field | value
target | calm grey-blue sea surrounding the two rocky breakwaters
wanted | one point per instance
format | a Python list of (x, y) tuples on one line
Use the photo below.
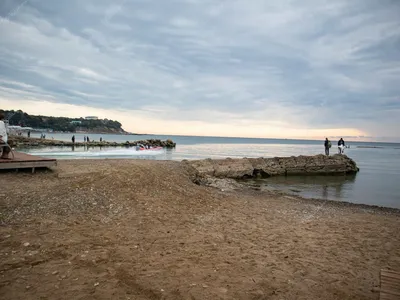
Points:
[(377, 183)]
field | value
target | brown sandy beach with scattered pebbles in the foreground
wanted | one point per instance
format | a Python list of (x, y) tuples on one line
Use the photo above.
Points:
[(136, 229)]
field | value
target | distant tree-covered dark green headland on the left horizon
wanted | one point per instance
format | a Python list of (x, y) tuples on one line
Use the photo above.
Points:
[(63, 124)]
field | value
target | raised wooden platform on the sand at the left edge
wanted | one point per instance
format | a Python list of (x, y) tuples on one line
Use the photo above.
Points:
[(26, 161)]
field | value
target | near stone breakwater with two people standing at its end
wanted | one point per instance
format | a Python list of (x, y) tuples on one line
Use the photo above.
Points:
[(203, 170)]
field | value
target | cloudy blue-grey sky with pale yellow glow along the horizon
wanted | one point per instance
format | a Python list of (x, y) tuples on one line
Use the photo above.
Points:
[(257, 68)]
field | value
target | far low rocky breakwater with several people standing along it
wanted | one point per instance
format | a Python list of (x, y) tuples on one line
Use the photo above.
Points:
[(24, 142)]
